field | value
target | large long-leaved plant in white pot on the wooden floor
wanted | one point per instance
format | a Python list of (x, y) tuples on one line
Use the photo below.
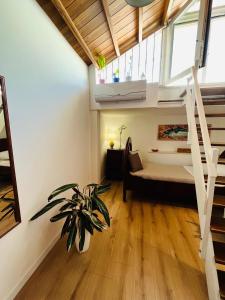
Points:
[(82, 213)]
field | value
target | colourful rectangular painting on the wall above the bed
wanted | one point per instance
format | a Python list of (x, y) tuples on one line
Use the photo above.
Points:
[(173, 132)]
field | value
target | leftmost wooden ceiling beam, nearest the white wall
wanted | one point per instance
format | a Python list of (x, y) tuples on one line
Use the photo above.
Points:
[(66, 17)]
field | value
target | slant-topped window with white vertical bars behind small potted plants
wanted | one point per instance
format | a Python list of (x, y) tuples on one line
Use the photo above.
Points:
[(140, 62)]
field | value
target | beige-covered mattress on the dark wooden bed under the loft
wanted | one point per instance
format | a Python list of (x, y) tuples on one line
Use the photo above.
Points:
[(163, 172)]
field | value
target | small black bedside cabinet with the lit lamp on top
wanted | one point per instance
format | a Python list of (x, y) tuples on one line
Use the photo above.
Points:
[(114, 164)]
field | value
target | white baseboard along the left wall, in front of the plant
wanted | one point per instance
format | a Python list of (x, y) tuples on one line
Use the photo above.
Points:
[(31, 270)]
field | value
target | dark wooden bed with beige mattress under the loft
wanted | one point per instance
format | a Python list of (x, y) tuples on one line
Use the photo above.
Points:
[(167, 183)]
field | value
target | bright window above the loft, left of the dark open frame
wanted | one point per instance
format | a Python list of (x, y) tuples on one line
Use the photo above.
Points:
[(183, 42)]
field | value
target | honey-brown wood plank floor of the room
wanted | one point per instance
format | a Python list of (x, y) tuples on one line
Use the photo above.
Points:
[(150, 252)]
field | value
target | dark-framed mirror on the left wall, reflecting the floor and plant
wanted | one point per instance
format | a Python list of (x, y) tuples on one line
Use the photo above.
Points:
[(9, 205)]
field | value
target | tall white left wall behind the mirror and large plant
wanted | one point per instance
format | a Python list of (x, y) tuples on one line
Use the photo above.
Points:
[(48, 99)]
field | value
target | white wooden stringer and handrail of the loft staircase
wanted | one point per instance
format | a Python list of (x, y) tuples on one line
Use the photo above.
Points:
[(205, 185)]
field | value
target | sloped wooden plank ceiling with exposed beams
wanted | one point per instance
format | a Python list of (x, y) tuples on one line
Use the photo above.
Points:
[(107, 27)]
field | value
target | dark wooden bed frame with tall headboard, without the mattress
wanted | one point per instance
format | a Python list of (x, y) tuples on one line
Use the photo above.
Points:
[(163, 191)]
